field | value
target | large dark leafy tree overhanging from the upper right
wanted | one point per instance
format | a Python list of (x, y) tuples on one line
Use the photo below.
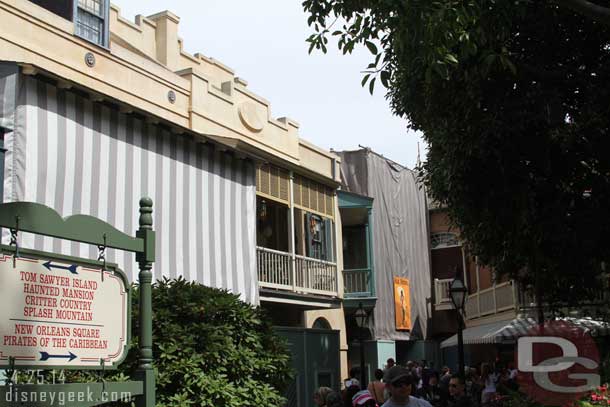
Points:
[(512, 99)]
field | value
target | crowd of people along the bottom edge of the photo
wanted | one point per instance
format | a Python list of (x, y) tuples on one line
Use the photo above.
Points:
[(418, 385)]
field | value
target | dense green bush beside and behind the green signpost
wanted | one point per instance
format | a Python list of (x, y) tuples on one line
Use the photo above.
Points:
[(210, 349)]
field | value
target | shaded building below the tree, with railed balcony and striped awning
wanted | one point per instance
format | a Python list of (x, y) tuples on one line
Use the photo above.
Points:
[(497, 311)]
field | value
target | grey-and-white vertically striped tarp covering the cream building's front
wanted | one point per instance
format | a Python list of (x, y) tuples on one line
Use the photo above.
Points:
[(79, 156)]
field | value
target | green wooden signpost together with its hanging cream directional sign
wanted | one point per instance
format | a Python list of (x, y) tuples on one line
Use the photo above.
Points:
[(56, 313)]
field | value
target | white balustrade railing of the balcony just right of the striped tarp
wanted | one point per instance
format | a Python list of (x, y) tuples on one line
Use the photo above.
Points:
[(308, 276)]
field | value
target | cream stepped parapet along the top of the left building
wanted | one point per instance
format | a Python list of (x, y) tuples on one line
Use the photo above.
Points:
[(147, 69)]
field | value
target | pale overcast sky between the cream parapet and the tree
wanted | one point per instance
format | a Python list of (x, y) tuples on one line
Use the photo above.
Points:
[(264, 43)]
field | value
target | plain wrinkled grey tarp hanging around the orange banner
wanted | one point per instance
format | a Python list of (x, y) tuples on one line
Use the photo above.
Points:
[(400, 236)]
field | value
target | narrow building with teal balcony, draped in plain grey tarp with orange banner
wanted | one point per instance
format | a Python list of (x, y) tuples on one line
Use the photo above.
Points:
[(398, 291)]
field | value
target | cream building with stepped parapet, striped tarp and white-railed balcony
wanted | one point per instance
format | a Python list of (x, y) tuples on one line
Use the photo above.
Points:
[(97, 111)]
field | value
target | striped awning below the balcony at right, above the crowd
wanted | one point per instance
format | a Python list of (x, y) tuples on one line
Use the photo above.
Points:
[(509, 331)]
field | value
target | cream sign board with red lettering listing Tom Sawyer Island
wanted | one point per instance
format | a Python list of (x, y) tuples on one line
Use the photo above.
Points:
[(58, 314)]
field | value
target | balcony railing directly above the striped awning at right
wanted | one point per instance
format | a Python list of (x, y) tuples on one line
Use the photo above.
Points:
[(493, 300)]
